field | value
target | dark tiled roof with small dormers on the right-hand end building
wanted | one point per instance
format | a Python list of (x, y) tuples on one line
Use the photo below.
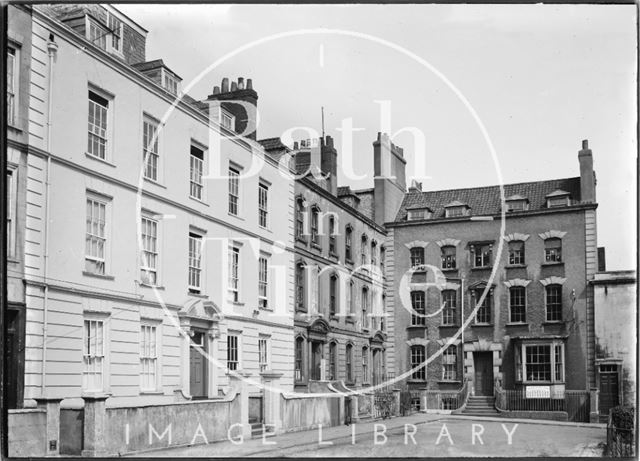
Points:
[(485, 201)]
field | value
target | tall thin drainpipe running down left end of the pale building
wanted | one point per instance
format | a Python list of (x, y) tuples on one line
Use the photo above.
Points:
[(52, 49)]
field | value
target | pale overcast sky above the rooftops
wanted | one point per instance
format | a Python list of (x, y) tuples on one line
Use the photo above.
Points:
[(541, 77)]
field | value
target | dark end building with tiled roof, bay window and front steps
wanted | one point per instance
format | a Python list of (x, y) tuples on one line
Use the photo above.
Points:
[(478, 305)]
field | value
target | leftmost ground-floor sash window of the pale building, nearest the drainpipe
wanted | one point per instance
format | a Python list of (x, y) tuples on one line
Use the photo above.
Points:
[(95, 353)]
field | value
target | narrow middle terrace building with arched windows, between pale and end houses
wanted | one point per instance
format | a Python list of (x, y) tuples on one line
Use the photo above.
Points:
[(340, 315)]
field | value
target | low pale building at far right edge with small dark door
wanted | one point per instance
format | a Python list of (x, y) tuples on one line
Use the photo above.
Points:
[(615, 301)]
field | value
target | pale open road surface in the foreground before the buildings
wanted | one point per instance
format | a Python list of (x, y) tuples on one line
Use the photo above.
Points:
[(417, 435)]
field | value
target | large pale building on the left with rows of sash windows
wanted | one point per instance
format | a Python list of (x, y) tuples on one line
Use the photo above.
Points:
[(157, 241)]
